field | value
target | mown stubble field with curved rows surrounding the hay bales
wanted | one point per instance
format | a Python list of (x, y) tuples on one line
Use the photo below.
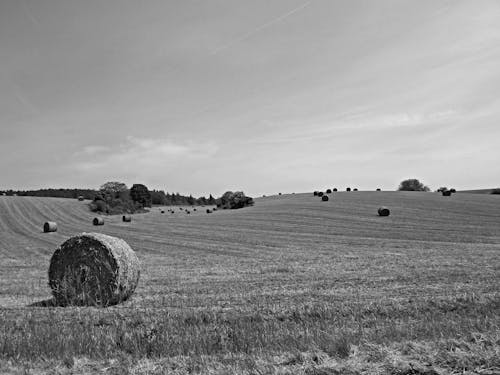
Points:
[(292, 285)]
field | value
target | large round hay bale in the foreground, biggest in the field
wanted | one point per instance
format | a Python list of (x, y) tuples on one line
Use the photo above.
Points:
[(93, 269)]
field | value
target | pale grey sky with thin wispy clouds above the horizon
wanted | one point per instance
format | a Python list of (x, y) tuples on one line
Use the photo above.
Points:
[(263, 96)]
